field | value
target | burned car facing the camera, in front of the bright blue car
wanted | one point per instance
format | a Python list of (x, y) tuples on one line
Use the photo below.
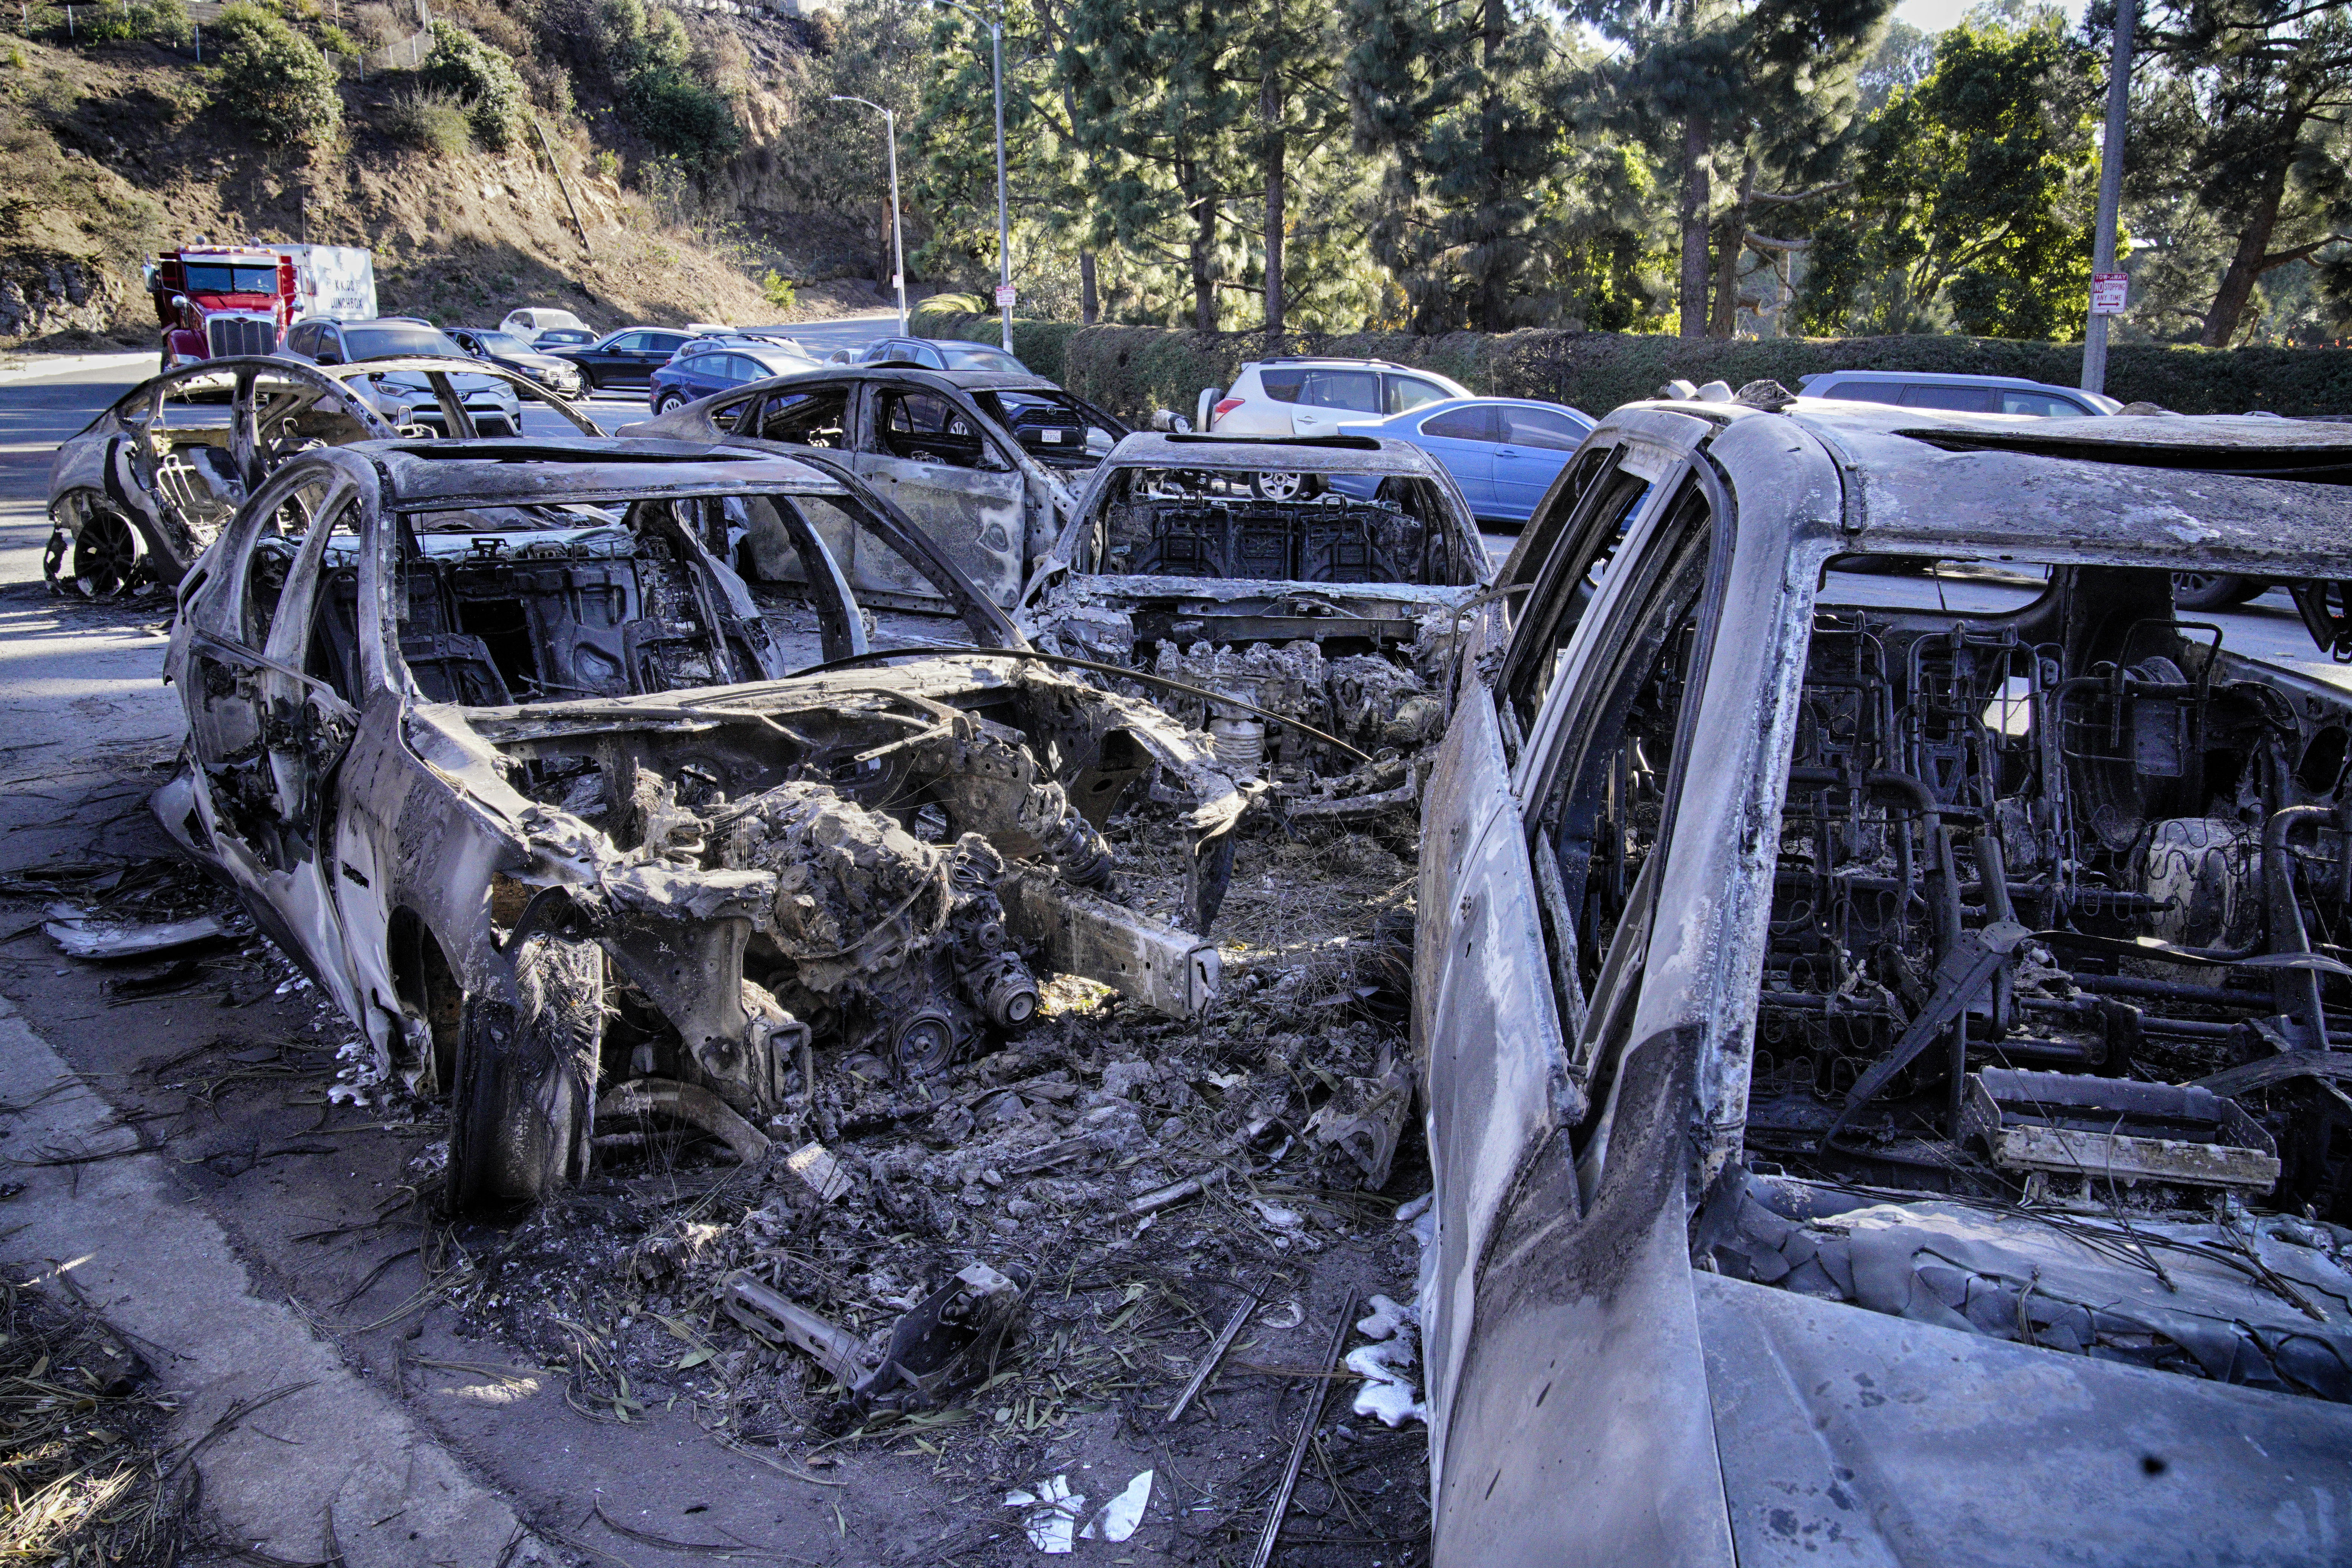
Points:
[(1321, 579)]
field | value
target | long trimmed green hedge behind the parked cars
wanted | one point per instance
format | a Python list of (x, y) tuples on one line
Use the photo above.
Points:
[(1135, 370)]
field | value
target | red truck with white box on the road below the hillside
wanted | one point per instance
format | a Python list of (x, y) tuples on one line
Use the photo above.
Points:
[(239, 300)]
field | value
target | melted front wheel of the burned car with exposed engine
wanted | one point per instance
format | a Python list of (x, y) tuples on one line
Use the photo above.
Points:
[(526, 1080)]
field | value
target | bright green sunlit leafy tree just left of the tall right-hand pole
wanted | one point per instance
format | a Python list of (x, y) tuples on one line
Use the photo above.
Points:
[(1972, 199)]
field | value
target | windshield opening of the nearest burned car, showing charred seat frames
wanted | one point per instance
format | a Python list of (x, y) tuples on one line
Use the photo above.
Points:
[(2137, 824)]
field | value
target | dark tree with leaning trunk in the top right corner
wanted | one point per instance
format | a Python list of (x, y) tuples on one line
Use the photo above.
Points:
[(2266, 98)]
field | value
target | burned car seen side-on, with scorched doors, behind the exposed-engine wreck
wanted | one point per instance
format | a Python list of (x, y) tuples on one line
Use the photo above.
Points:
[(984, 462)]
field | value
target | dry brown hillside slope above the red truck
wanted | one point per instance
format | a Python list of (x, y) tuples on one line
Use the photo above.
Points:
[(114, 152)]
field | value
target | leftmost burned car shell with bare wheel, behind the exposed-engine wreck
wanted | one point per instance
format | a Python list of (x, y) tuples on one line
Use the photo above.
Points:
[(147, 485)]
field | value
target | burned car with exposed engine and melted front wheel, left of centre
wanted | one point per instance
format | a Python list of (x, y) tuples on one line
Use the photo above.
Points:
[(507, 760)]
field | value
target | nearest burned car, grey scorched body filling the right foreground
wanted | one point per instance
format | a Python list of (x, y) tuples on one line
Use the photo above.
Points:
[(1883, 1038)]
